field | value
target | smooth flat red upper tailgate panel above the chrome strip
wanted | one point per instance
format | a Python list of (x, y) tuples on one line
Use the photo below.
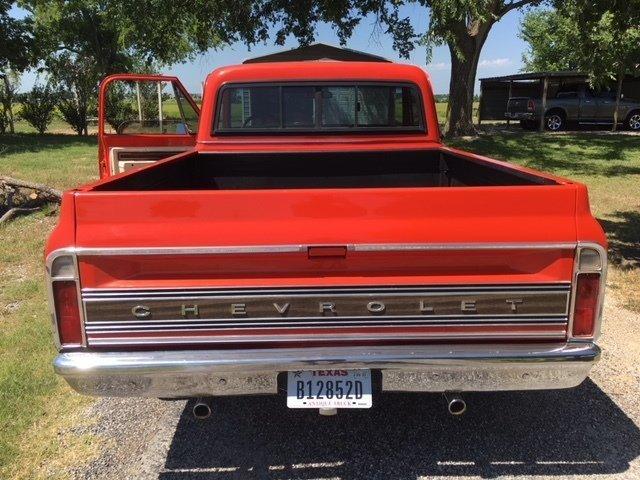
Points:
[(326, 217)]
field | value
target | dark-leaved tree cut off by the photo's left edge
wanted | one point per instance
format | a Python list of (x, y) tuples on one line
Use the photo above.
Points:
[(16, 54)]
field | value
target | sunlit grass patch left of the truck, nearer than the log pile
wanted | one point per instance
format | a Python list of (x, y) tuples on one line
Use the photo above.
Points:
[(35, 405)]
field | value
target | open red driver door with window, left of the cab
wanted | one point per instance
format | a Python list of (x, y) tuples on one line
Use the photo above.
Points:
[(142, 119)]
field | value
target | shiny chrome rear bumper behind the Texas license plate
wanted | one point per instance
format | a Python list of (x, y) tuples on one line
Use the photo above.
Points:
[(426, 368)]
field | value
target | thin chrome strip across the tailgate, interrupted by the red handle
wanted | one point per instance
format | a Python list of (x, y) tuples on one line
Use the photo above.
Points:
[(372, 247)]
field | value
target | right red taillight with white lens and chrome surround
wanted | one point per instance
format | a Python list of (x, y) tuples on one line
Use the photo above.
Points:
[(589, 280)]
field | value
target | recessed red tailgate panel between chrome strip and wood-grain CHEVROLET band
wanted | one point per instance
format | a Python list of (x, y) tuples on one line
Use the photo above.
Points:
[(357, 268)]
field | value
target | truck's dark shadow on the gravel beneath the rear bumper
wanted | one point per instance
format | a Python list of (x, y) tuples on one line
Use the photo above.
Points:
[(568, 432)]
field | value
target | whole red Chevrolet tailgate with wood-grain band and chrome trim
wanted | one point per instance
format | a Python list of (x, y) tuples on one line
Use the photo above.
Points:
[(331, 265)]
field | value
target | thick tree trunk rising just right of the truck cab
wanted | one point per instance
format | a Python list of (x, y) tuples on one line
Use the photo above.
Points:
[(462, 83)]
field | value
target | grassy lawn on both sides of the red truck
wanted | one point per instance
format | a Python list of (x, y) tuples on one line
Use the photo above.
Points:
[(35, 406)]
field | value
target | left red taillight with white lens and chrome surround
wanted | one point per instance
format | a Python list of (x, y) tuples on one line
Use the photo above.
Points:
[(64, 297)]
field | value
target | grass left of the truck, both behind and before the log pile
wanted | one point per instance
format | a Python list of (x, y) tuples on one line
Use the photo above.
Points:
[(35, 406)]
